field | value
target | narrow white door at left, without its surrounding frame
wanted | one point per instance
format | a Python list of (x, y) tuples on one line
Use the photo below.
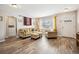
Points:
[(11, 26)]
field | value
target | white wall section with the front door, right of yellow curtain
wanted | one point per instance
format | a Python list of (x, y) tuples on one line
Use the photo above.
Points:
[(66, 24)]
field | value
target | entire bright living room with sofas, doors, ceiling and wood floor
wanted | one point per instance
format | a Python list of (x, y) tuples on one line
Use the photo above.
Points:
[(39, 30)]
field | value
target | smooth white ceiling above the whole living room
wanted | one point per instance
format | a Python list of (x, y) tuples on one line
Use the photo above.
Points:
[(36, 10)]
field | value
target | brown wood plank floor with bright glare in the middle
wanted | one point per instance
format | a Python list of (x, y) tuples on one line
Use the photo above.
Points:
[(41, 46)]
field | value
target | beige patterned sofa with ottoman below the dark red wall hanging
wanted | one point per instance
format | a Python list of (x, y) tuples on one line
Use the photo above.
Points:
[(28, 32)]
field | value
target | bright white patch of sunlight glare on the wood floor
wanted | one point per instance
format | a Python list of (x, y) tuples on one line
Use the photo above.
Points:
[(45, 47)]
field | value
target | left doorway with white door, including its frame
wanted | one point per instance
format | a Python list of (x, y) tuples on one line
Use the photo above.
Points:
[(11, 26)]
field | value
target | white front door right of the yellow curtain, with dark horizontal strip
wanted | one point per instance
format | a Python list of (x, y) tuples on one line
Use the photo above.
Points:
[(69, 25)]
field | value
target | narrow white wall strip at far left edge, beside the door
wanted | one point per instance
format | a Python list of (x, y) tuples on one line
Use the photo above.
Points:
[(2, 30)]
